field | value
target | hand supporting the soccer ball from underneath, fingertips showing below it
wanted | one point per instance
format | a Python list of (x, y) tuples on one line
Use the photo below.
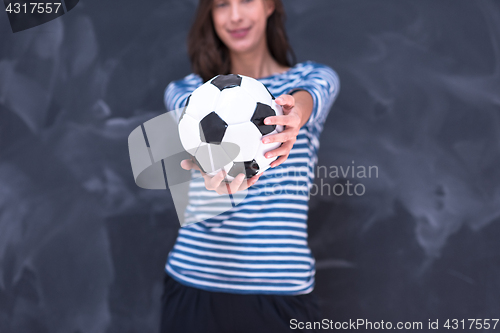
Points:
[(217, 183)]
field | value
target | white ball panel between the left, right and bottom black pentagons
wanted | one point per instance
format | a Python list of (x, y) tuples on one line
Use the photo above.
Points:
[(246, 136)]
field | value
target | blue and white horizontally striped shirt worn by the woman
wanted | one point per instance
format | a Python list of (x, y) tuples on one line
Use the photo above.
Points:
[(259, 246)]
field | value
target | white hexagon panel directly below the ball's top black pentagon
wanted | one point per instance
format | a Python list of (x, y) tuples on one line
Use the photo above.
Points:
[(235, 105)]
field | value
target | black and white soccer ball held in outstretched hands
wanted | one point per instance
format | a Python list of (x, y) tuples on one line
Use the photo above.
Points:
[(222, 126)]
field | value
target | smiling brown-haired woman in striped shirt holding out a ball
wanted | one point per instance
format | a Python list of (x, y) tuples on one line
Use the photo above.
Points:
[(250, 269)]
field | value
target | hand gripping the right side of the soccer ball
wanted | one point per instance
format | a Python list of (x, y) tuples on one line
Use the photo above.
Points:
[(291, 119)]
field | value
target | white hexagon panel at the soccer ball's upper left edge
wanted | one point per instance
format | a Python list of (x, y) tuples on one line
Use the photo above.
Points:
[(202, 101)]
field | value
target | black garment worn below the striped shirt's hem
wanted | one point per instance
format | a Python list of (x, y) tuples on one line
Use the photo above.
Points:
[(192, 310)]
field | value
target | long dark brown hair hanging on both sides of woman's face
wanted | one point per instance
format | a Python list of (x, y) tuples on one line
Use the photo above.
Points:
[(210, 56)]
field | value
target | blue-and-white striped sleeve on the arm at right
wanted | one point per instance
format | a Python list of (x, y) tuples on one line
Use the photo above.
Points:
[(323, 84)]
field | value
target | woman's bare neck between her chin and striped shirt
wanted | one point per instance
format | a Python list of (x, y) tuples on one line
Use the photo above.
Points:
[(257, 63)]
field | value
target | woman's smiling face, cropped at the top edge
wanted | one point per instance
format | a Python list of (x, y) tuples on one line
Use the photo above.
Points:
[(241, 24)]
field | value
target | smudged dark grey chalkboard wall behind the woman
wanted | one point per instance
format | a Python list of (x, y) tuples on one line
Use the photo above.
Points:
[(82, 248)]
